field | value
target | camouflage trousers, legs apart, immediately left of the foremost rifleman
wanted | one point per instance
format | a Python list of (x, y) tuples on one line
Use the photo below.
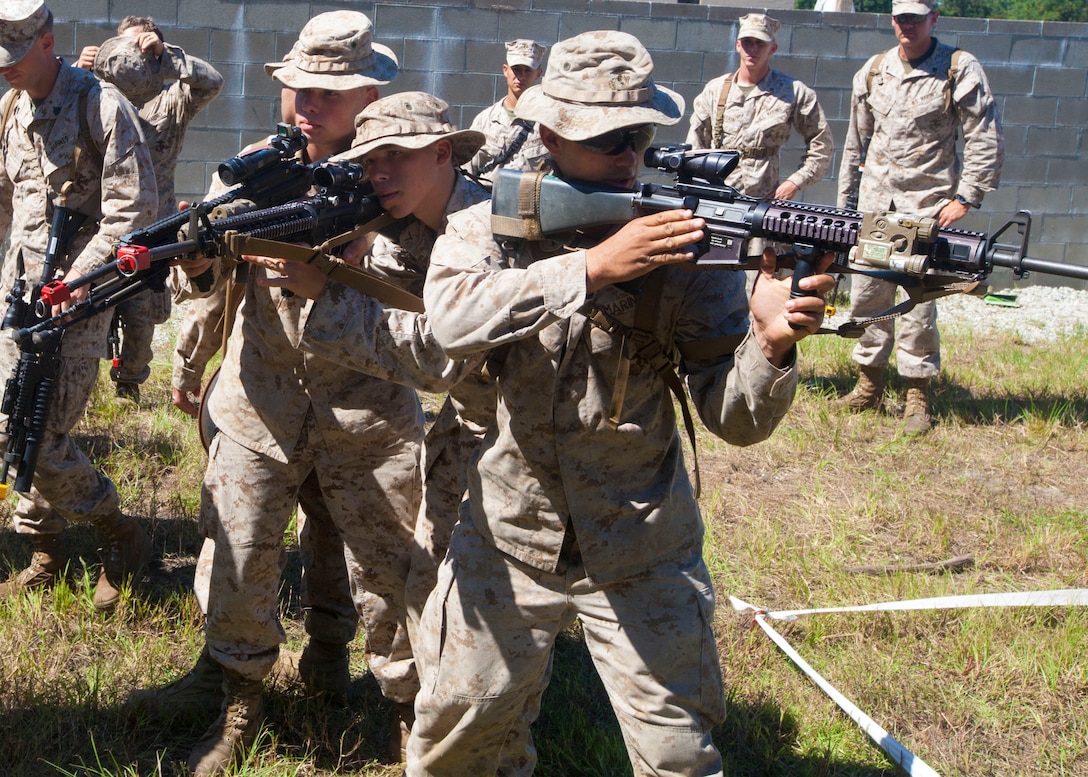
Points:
[(373, 498)]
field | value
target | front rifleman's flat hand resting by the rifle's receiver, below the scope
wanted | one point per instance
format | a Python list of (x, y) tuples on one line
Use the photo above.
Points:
[(642, 245)]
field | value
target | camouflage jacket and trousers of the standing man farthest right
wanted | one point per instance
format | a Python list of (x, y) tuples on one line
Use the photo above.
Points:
[(905, 131)]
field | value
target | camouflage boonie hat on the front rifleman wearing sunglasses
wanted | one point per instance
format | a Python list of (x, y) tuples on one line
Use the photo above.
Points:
[(596, 83)]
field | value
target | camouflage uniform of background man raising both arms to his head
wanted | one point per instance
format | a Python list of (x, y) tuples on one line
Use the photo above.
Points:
[(181, 88)]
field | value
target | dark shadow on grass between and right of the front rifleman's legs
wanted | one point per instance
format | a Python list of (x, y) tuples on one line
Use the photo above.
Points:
[(577, 733)]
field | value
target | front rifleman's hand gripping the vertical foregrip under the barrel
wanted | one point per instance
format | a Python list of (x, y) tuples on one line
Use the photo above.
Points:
[(778, 323)]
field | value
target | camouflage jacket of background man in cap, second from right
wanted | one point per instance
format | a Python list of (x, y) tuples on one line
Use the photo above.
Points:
[(758, 125)]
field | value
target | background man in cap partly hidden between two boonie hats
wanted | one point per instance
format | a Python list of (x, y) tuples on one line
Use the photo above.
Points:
[(511, 142)]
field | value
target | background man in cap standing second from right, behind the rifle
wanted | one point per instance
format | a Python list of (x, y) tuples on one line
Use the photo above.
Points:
[(753, 113)]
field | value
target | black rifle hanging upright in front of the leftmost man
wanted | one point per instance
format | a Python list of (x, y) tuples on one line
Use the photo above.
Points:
[(30, 391)]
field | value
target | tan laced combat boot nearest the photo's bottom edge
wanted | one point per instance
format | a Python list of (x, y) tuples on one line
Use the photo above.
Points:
[(229, 739)]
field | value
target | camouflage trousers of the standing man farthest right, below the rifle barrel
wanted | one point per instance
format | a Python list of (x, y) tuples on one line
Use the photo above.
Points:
[(919, 347)]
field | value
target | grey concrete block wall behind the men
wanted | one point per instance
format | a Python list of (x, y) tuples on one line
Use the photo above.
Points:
[(1040, 72)]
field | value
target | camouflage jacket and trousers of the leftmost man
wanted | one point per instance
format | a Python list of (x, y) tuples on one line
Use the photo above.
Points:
[(114, 184)]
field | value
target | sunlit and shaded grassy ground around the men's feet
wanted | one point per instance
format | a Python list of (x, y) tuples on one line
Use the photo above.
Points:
[(1003, 477)]
